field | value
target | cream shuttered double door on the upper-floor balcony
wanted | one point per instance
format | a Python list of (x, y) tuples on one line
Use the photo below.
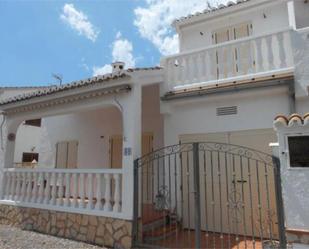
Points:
[(231, 60)]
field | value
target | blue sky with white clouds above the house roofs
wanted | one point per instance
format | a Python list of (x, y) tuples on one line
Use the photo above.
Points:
[(79, 39)]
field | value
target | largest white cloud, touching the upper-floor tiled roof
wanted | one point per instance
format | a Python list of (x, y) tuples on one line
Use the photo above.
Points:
[(154, 20)]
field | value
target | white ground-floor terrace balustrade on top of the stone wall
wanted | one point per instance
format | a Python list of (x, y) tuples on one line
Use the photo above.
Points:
[(87, 191)]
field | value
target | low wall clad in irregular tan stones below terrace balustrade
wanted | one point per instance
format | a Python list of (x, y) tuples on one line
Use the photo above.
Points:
[(101, 231)]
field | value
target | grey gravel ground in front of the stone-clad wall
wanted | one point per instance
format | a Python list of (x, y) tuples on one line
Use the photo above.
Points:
[(11, 237)]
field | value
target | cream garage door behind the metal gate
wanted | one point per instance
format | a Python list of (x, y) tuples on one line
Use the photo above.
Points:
[(225, 179)]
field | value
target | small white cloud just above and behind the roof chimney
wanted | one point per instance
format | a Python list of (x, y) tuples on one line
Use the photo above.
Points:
[(122, 50)]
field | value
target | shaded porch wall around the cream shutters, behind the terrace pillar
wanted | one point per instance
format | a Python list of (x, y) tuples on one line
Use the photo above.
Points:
[(88, 127)]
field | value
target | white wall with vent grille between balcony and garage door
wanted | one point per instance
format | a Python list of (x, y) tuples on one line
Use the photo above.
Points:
[(256, 110)]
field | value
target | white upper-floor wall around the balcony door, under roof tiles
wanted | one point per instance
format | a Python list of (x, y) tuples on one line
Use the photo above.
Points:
[(276, 19)]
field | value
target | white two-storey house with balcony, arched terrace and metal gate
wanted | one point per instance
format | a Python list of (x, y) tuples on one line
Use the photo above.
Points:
[(202, 121)]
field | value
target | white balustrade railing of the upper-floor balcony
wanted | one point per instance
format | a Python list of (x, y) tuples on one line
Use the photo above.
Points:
[(240, 60)]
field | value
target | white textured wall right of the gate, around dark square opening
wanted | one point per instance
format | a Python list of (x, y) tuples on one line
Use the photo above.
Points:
[(294, 183)]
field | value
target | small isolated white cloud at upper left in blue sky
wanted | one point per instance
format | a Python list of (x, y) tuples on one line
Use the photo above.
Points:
[(78, 21)]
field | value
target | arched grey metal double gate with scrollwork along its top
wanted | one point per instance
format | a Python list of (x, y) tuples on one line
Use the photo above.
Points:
[(208, 195)]
